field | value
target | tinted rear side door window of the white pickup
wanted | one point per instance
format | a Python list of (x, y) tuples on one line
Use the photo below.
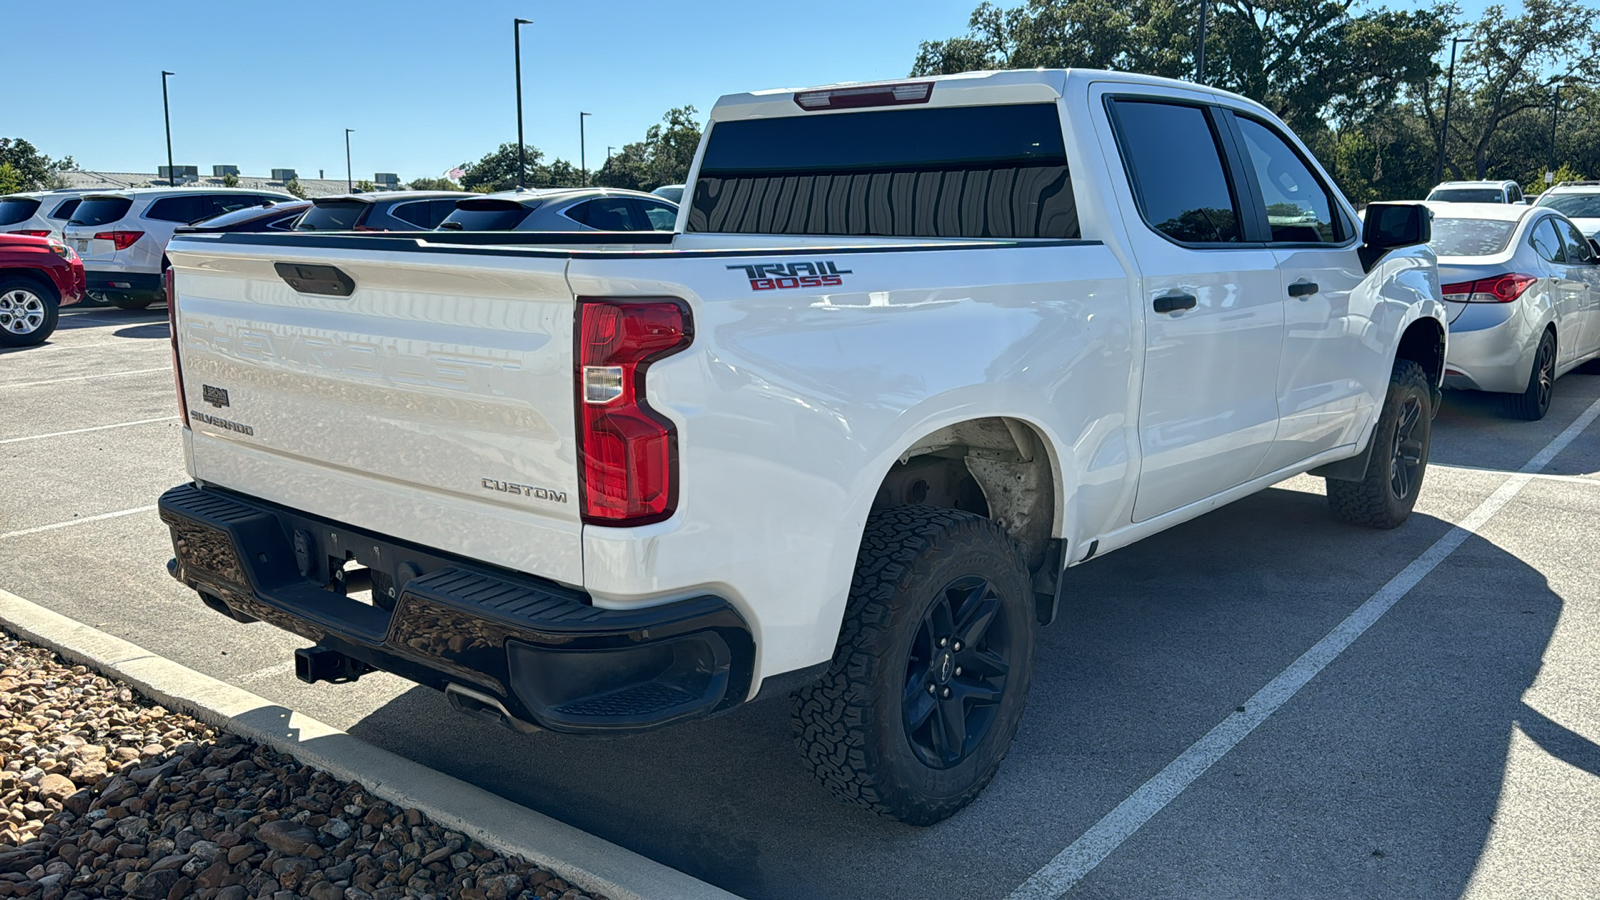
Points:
[(1188, 195)]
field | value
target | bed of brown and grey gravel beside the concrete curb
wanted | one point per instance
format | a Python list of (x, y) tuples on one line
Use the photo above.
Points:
[(110, 795)]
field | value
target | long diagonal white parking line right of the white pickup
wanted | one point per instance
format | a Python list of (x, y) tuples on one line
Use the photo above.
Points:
[(1105, 837)]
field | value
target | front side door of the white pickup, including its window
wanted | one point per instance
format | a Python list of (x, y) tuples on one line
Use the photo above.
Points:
[(1324, 398)]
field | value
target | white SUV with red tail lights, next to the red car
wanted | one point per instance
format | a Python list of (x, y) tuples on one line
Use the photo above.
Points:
[(122, 235)]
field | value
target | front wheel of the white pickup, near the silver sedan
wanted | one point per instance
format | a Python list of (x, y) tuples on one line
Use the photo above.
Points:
[(1399, 456)]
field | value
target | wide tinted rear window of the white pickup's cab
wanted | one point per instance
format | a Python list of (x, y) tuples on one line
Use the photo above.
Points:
[(951, 172)]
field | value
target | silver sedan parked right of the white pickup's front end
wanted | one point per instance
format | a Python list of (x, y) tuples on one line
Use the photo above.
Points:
[(1524, 292)]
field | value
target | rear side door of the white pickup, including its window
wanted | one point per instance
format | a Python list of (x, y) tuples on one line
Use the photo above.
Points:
[(1214, 307)]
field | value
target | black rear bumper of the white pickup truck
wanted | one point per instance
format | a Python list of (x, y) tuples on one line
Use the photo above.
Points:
[(502, 645)]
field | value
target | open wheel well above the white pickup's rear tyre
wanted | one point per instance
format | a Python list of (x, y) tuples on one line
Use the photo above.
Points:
[(990, 467)]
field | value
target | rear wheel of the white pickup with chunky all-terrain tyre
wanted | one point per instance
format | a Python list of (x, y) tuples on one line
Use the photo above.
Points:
[(930, 678)]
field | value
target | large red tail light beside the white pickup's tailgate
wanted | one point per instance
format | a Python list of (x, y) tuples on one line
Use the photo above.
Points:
[(628, 452)]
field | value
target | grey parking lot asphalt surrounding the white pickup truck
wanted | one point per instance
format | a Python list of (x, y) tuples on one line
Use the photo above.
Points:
[(1454, 749)]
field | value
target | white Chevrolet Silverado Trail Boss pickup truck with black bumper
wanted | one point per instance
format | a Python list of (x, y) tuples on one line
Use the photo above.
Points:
[(913, 352)]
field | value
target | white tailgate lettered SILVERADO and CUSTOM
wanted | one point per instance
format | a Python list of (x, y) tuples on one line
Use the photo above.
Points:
[(431, 404)]
